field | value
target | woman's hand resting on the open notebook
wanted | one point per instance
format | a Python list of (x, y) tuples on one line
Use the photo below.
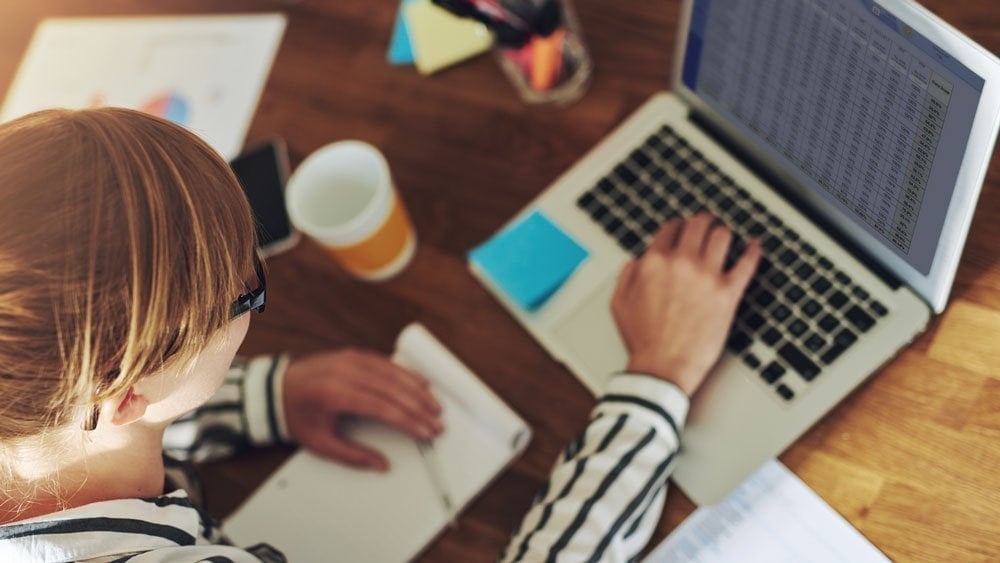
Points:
[(320, 390)]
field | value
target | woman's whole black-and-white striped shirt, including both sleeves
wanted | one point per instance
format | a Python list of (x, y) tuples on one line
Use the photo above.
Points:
[(601, 503)]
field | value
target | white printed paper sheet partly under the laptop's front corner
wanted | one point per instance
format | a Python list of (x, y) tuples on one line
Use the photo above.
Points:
[(773, 517)]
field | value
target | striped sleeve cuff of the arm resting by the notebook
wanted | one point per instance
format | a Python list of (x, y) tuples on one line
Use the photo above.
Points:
[(246, 410)]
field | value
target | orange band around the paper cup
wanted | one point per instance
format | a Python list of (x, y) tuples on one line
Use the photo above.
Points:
[(381, 248)]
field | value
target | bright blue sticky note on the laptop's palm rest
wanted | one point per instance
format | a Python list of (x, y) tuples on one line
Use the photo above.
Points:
[(530, 260)]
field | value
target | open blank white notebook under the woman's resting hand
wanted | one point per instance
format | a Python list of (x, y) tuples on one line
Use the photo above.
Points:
[(316, 510)]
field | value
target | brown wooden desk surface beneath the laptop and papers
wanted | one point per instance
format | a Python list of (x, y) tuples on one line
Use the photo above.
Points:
[(912, 458)]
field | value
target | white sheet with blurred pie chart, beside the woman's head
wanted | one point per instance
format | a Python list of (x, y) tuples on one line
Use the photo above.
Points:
[(205, 73)]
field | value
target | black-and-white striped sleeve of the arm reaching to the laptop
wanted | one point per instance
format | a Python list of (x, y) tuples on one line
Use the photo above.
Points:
[(606, 491)]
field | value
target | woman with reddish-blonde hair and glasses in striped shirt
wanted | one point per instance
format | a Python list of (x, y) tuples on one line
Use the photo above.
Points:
[(127, 275)]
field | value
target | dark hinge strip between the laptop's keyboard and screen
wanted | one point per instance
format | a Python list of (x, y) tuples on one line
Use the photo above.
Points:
[(700, 121)]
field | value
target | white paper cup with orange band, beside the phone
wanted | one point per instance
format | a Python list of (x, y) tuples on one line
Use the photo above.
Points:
[(342, 196)]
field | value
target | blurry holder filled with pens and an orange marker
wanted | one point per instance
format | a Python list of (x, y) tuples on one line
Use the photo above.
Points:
[(539, 45)]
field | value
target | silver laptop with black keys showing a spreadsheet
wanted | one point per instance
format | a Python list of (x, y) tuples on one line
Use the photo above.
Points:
[(852, 138)]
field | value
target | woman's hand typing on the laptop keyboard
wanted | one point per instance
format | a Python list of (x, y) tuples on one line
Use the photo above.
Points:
[(675, 304)]
